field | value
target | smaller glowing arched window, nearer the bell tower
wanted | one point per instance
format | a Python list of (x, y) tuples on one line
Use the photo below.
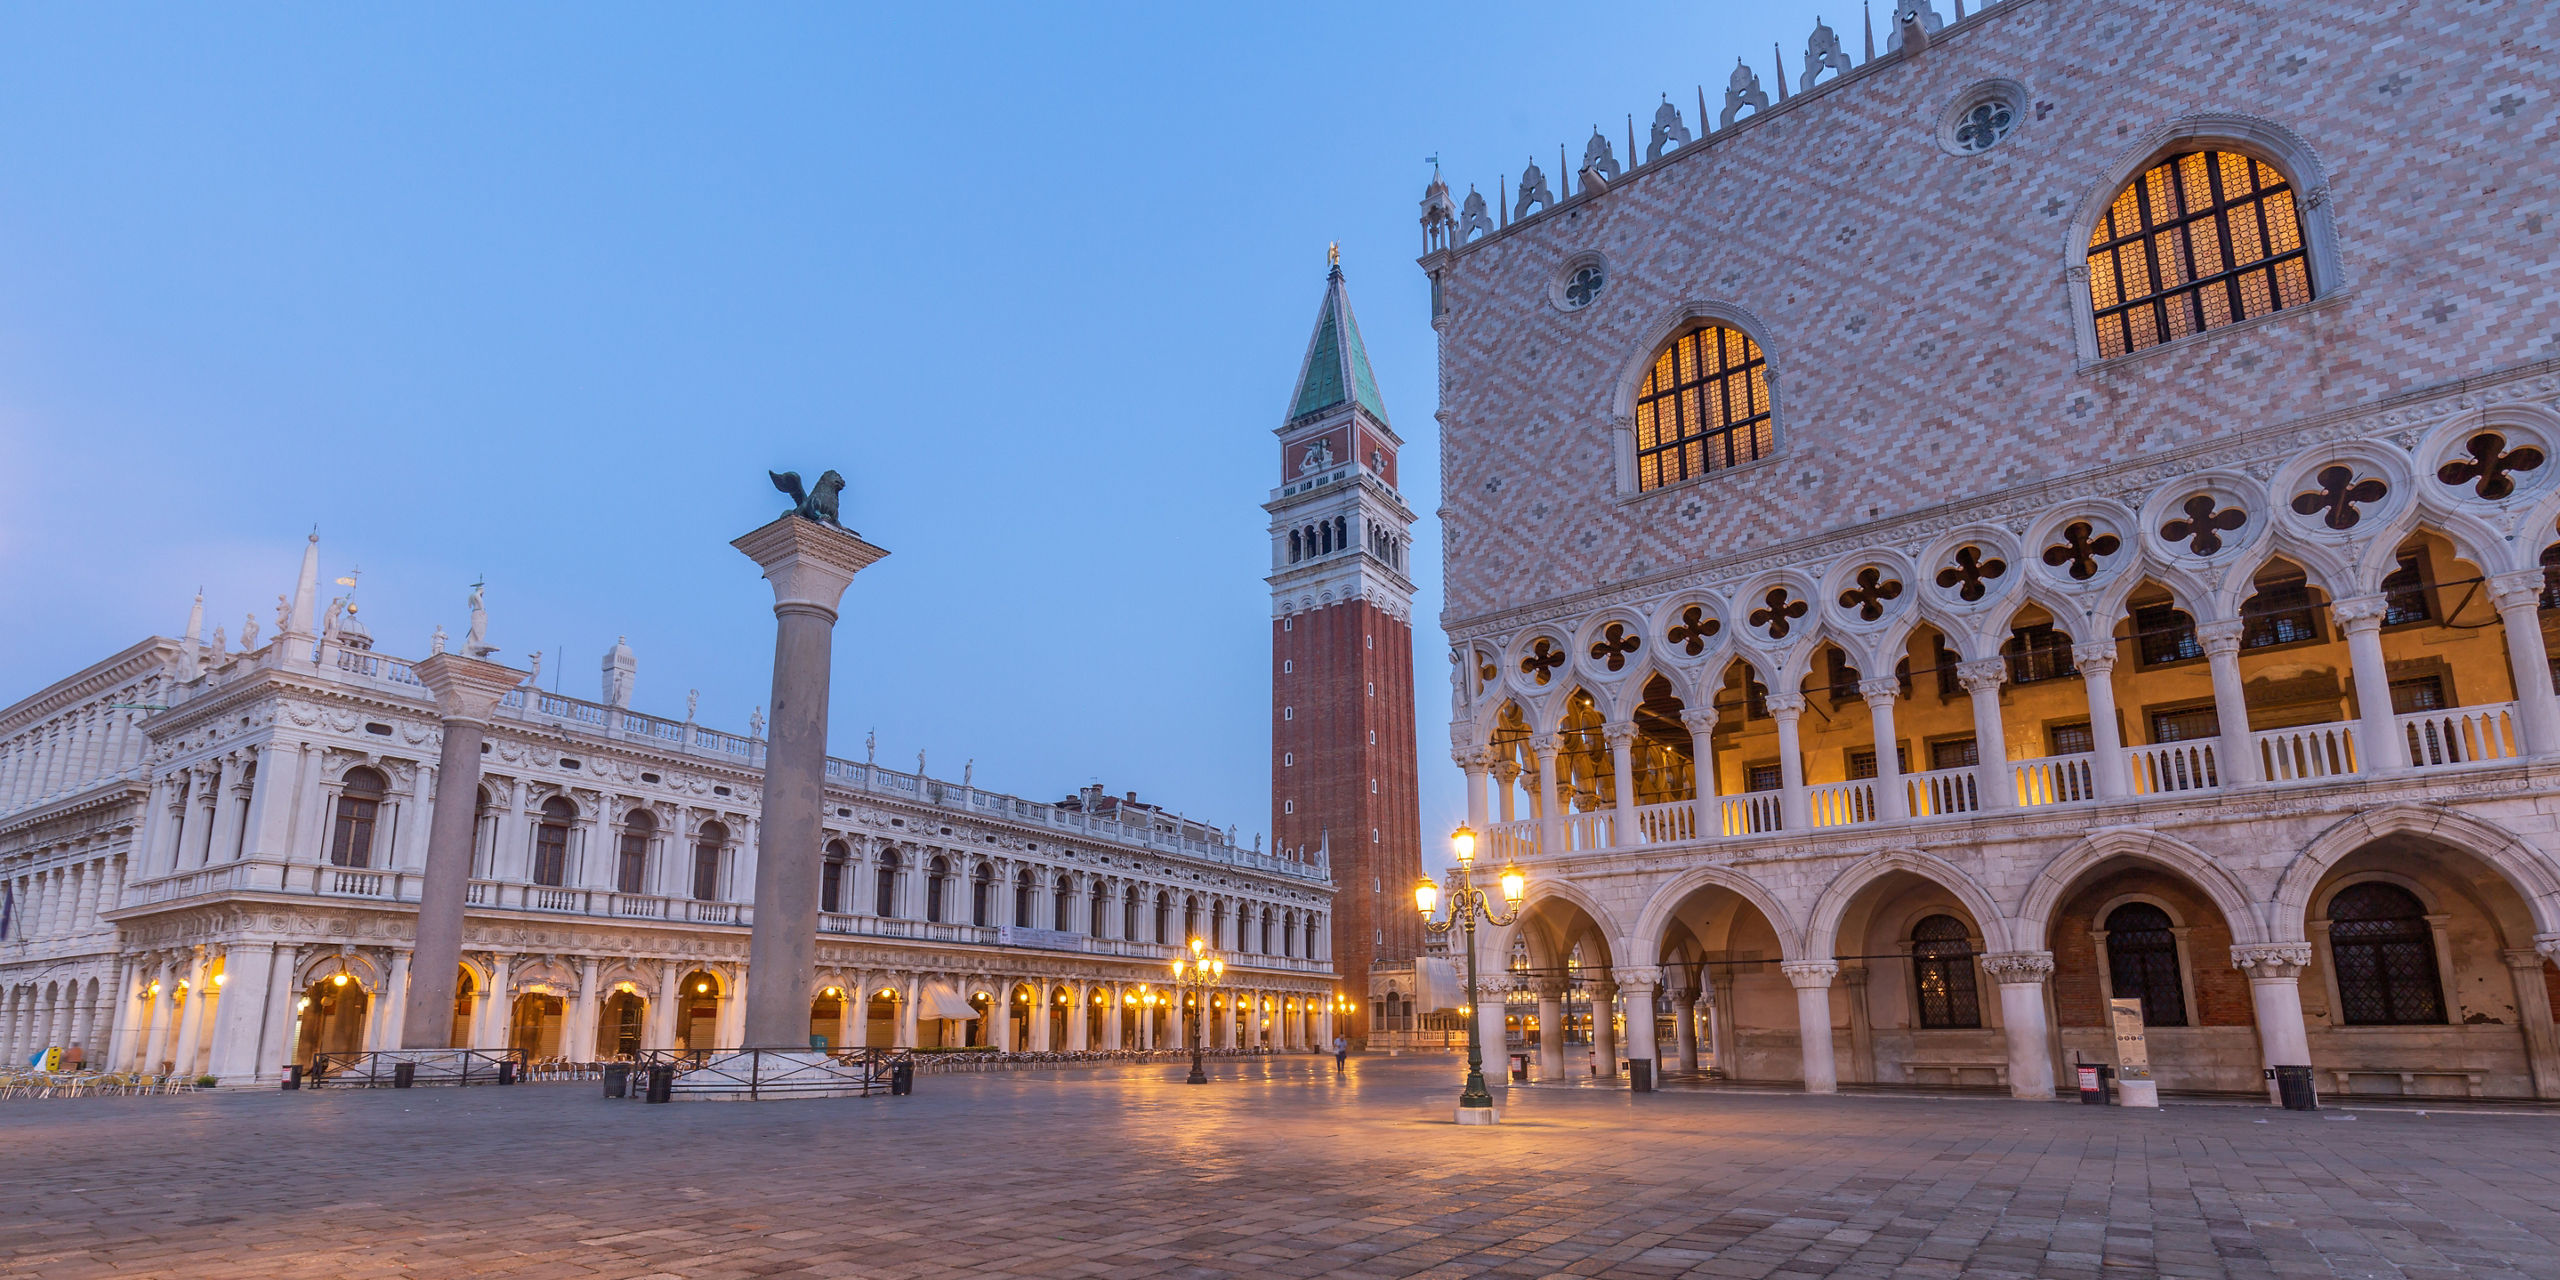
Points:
[(1704, 408)]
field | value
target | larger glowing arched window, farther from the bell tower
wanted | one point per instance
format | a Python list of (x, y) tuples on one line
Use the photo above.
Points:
[(2198, 242)]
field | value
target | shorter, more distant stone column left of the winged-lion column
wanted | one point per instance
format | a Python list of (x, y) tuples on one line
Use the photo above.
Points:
[(467, 695)]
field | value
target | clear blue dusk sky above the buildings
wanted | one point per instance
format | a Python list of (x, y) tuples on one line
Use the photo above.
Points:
[(541, 293)]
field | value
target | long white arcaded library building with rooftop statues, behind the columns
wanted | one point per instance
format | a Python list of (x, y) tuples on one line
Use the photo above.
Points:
[(211, 859)]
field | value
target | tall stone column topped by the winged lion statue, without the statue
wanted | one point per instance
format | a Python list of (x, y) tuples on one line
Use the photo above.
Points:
[(810, 567)]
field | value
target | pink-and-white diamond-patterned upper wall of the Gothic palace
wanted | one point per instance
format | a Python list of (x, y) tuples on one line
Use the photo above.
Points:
[(1919, 308)]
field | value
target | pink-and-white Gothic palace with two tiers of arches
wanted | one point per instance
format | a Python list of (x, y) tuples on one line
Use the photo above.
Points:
[(2052, 511)]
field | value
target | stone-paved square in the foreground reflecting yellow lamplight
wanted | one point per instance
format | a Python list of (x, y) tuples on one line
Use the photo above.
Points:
[(1276, 1169)]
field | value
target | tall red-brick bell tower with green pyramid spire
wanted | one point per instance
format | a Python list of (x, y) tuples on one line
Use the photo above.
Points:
[(1343, 652)]
